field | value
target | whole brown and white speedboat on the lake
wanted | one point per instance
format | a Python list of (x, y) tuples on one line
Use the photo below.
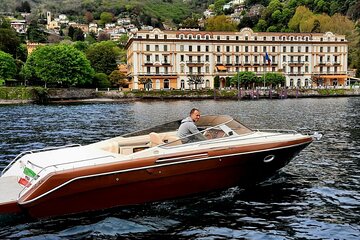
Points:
[(144, 166)]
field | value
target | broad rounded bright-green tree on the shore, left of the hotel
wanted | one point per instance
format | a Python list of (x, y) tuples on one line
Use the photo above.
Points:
[(58, 64)]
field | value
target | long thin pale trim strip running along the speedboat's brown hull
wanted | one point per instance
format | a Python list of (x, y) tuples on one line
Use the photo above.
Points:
[(147, 167)]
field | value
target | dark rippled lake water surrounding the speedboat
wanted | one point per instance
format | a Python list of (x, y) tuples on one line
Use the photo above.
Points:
[(317, 196)]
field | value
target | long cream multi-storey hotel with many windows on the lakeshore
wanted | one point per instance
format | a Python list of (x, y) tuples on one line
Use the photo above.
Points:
[(166, 59)]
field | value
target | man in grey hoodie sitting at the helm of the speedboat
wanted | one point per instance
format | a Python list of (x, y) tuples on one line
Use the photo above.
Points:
[(188, 127)]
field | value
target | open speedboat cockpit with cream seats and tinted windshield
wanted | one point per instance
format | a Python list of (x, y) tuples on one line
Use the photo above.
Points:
[(210, 127)]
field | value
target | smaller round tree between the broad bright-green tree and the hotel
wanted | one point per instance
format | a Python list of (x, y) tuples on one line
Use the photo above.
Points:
[(103, 56)]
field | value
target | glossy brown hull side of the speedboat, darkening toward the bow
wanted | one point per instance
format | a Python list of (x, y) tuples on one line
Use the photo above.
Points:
[(157, 179)]
